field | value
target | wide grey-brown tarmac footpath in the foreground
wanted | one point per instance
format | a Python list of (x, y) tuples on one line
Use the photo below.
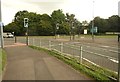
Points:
[(25, 63)]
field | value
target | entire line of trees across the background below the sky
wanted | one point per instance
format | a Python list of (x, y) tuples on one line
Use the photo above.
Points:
[(44, 24)]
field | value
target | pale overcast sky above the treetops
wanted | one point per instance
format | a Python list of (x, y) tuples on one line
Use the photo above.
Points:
[(83, 9)]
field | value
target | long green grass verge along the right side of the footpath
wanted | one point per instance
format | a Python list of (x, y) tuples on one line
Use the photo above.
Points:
[(96, 74)]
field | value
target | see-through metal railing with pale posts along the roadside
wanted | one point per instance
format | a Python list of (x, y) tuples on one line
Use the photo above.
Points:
[(97, 56)]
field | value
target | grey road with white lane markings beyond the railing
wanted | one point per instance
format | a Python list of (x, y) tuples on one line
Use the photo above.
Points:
[(105, 55)]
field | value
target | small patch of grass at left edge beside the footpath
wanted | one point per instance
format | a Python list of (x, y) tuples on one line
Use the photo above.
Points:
[(3, 58)]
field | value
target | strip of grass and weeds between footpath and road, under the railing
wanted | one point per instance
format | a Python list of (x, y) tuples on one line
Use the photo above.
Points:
[(98, 73)]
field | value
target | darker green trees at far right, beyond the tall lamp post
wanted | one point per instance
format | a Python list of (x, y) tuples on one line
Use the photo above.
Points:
[(107, 25)]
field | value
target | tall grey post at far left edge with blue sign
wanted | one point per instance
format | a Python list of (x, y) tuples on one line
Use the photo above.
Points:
[(1, 27)]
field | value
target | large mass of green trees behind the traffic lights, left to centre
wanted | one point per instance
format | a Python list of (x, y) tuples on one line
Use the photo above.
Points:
[(42, 24)]
